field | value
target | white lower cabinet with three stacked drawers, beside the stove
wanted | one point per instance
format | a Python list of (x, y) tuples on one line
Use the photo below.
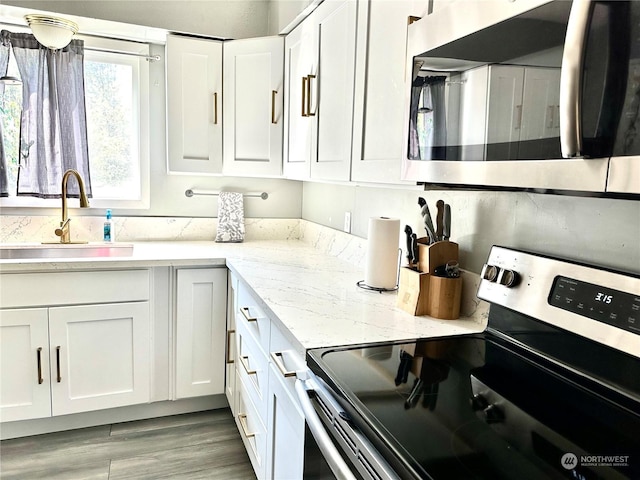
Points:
[(269, 419)]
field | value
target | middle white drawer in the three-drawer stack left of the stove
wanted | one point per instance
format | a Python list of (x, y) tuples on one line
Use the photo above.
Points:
[(253, 367)]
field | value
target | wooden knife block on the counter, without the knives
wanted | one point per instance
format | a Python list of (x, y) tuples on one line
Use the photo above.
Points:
[(422, 292)]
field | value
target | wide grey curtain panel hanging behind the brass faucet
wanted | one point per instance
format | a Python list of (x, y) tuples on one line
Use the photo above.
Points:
[(53, 129)]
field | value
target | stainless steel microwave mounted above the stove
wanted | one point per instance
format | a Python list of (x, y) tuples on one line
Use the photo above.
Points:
[(532, 94)]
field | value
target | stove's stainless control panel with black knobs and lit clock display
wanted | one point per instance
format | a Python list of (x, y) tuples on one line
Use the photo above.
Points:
[(596, 303)]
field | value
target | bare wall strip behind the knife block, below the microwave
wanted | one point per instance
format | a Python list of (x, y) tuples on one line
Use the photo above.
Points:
[(591, 230)]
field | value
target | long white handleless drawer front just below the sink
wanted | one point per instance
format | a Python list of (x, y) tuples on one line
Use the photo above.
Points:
[(73, 288)]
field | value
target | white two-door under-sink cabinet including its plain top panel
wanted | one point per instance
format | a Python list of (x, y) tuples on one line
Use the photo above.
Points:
[(73, 342)]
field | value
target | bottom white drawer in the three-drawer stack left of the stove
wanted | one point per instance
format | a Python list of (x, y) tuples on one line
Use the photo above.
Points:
[(252, 429)]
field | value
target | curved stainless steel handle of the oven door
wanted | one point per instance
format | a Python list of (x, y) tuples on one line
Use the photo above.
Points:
[(331, 454)]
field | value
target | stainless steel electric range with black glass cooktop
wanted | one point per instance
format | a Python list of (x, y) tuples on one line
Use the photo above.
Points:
[(551, 389)]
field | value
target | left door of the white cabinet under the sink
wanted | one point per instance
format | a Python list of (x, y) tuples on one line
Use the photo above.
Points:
[(25, 390)]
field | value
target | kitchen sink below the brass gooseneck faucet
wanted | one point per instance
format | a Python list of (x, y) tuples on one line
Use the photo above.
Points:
[(69, 250)]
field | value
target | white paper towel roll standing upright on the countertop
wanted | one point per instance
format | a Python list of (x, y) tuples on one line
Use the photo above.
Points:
[(381, 268)]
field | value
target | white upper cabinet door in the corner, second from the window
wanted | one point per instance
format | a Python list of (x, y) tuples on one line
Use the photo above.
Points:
[(253, 100)]
